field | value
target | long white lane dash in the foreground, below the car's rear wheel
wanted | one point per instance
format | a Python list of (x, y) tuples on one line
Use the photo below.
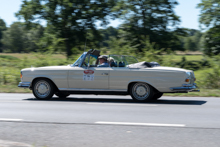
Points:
[(141, 124)]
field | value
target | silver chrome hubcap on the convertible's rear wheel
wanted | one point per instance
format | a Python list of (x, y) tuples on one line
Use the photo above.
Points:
[(141, 91)]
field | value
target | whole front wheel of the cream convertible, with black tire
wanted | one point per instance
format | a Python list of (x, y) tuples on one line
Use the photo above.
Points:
[(43, 89)]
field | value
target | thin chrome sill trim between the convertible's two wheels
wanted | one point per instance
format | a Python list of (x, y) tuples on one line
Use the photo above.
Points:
[(83, 89)]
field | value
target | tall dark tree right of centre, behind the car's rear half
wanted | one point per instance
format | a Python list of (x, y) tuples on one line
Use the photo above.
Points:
[(150, 18)]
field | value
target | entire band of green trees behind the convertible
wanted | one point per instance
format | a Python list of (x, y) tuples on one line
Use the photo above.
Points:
[(69, 24)]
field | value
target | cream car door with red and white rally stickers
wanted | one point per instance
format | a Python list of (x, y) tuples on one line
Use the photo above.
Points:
[(92, 78)]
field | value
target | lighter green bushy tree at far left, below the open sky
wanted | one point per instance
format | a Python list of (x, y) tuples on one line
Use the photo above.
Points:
[(17, 39)]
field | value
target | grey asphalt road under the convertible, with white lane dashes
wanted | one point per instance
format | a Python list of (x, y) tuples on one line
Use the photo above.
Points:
[(97, 121)]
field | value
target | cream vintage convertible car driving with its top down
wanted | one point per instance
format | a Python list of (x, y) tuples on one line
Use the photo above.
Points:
[(144, 81)]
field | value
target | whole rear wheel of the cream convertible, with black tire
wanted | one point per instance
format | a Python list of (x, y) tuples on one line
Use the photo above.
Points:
[(141, 92)]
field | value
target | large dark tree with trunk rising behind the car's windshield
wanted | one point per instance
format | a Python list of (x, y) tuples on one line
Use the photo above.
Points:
[(71, 19)]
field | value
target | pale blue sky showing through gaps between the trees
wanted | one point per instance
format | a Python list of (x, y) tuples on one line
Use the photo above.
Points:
[(189, 14)]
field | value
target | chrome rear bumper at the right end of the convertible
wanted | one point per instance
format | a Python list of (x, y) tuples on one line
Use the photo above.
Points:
[(185, 88)]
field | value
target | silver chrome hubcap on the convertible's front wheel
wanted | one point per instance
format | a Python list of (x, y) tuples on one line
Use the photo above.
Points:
[(42, 89)]
